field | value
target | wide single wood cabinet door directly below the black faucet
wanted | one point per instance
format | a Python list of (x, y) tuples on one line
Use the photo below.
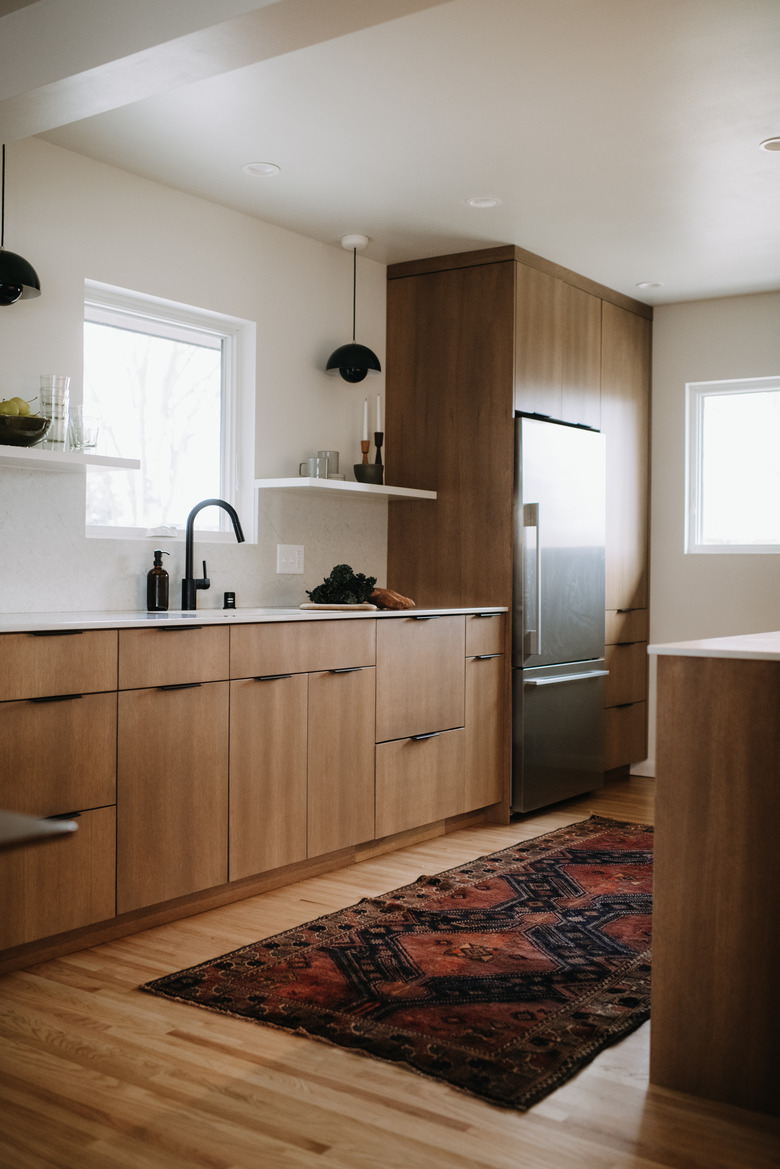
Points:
[(172, 793)]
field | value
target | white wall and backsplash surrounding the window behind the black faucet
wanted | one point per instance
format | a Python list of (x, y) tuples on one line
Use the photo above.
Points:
[(74, 219)]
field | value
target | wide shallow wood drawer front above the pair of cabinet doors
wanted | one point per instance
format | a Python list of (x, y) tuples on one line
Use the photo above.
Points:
[(298, 647)]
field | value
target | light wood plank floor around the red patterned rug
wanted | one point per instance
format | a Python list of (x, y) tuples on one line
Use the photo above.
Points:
[(98, 1076)]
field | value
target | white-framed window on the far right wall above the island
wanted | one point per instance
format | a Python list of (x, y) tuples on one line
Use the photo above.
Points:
[(734, 466)]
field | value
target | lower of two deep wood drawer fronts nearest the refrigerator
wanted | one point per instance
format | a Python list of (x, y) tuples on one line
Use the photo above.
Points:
[(419, 781)]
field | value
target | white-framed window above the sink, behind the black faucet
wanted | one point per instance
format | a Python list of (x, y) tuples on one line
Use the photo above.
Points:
[(175, 388)]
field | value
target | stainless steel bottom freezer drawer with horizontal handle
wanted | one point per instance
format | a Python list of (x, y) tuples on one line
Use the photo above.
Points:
[(558, 734)]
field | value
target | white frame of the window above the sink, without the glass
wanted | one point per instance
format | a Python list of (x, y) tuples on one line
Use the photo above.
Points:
[(108, 305)]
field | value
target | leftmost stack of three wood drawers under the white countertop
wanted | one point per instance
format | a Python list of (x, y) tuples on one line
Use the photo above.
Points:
[(58, 734)]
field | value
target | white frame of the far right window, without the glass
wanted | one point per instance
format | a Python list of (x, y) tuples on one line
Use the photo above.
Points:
[(696, 392)]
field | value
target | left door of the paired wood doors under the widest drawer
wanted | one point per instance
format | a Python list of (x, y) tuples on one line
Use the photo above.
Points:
[(268, 773)]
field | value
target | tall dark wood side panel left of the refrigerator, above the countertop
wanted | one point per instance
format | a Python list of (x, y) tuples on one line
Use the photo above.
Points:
[(451, 370)]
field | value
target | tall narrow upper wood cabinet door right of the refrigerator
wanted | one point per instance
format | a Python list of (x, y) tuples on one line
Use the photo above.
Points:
[(626, 423)]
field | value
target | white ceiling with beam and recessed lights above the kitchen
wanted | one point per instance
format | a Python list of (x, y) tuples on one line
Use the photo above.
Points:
[(622, 136)]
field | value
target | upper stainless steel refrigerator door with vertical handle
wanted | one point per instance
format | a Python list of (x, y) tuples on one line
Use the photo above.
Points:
[(560, 518)]
